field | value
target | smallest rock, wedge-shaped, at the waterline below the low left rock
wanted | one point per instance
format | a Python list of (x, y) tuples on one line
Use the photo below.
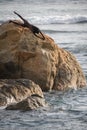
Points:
[(30, 103)]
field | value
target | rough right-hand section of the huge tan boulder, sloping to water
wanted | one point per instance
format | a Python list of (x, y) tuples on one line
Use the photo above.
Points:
[(69, 72)]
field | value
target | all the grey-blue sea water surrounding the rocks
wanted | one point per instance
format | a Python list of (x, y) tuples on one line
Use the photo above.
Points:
[(66, 22)]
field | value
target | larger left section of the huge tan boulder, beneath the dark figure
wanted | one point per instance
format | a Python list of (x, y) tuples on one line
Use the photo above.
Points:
[(26, 56)]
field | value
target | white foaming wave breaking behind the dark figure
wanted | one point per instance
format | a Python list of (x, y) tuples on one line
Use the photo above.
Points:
[(58, 19)]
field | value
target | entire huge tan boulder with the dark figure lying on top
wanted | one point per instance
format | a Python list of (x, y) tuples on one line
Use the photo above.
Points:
[(42, 61)]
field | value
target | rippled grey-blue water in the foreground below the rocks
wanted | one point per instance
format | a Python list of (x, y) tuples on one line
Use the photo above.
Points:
[(67, 111)]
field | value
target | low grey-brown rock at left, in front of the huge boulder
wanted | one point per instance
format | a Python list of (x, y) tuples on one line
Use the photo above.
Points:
[(16, 90)]
